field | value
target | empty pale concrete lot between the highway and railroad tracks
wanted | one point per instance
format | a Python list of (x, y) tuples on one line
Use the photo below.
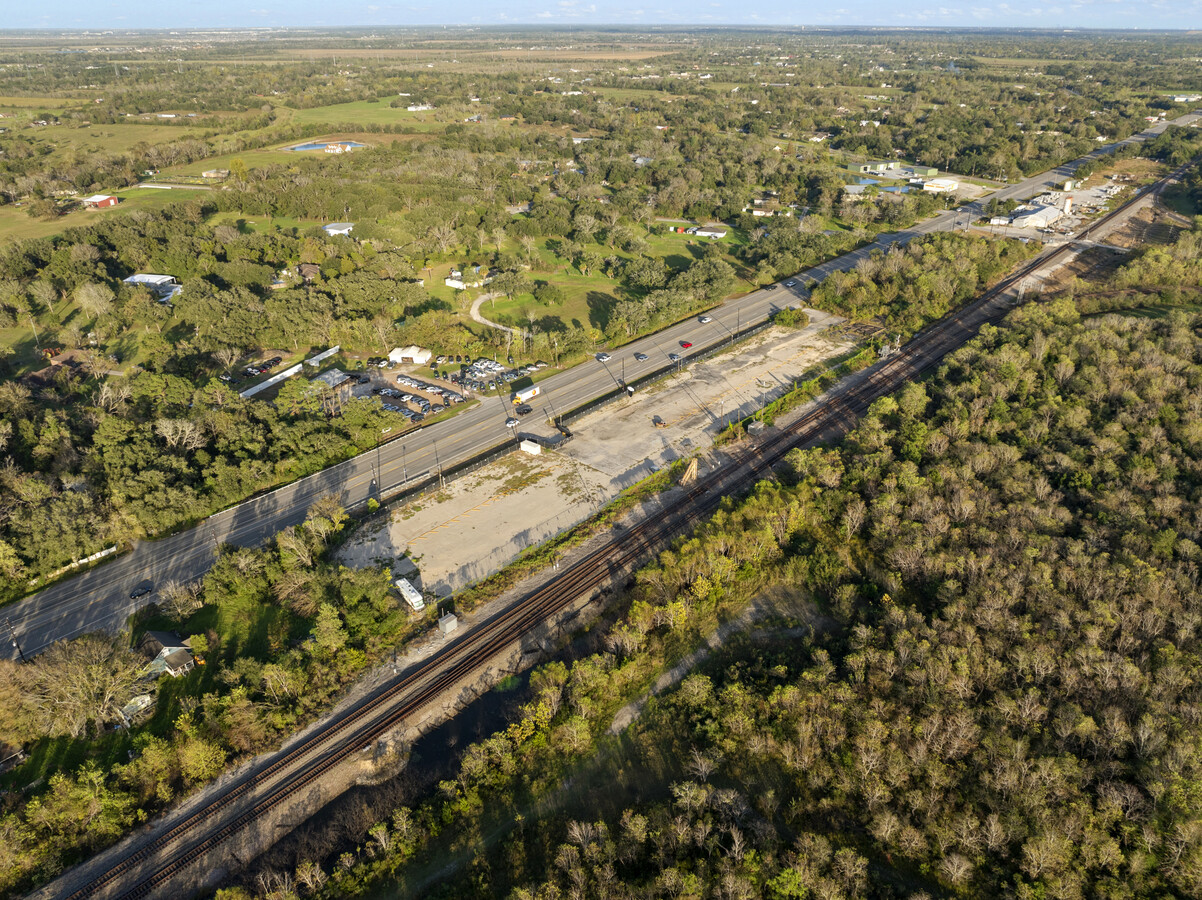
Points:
[(484, 521)]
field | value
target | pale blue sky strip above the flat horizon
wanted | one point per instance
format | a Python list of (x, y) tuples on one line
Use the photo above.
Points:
[(382, 14)]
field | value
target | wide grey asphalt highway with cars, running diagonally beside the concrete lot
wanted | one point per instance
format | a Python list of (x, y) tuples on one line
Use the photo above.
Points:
[(100, 599)]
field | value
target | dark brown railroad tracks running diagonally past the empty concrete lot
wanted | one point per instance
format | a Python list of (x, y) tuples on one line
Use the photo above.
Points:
[(206, 829)]
